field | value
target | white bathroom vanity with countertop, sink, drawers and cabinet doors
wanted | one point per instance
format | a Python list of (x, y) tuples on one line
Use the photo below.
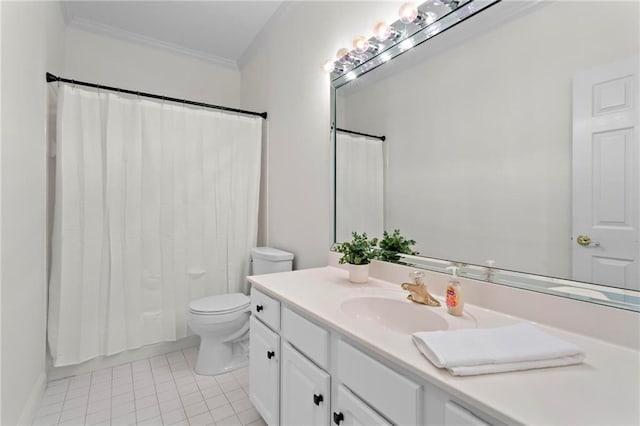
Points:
[(324, 350)]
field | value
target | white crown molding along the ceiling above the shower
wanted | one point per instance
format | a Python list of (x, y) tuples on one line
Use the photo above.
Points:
[(124, 35)]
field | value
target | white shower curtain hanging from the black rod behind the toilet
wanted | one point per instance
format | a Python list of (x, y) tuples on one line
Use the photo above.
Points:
[(156, 205)]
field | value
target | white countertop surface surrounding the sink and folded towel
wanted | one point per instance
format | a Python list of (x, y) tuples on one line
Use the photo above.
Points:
[(604, 390)]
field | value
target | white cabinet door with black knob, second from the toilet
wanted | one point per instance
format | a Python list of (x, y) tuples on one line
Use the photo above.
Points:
[(305, 390)]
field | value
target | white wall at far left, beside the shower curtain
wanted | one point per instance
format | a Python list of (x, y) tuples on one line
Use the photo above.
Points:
[(32, 43)]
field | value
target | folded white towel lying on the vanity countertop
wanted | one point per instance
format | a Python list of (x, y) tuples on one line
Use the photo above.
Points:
[(493, 350)]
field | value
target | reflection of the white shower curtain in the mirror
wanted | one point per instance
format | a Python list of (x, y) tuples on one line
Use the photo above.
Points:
[(359, 186)]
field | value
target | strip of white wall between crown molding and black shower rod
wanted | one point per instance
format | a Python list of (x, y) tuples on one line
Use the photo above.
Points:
[(99, 59)]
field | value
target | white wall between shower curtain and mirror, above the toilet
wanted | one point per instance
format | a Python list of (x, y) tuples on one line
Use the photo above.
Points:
[(283, 77)]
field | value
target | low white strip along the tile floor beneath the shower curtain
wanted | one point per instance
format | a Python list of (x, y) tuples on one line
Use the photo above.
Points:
[(54, 373)]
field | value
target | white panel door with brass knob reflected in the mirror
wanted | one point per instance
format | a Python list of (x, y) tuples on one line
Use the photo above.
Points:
[(605, 175)]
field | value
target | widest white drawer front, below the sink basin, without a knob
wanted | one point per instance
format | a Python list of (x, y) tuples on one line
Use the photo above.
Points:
[(399, 399)]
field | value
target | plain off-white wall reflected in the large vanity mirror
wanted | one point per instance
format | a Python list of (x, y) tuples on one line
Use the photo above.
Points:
[(479, 136)]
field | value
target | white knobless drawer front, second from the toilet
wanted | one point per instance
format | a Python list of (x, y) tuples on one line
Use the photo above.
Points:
[(308, 338)]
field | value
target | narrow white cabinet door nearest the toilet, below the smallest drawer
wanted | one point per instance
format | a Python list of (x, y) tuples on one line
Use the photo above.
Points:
[(264, 370)]
